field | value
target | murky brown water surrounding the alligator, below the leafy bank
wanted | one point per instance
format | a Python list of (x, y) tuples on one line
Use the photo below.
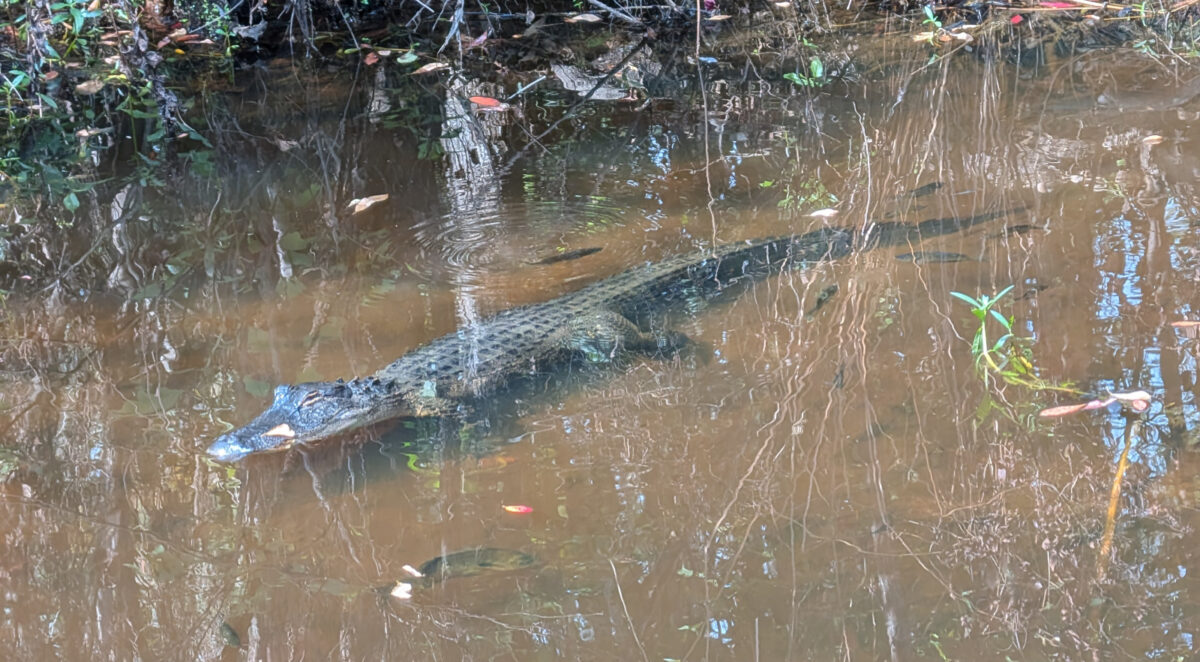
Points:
[(843, 486)]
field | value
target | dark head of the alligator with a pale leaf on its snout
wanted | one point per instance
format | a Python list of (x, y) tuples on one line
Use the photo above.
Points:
[(307, 413)]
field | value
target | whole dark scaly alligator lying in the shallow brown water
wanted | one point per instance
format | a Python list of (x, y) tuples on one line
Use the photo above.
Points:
[(597, 323)]
